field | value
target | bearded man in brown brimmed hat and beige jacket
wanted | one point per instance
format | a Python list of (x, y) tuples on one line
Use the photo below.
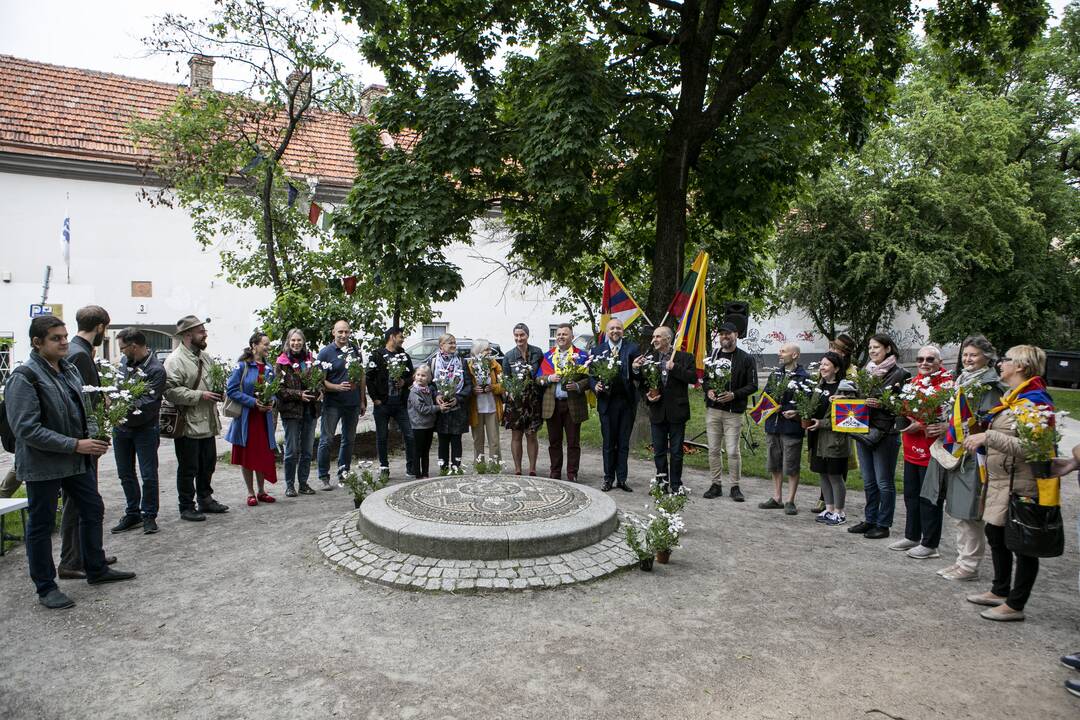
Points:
[(187, 387)]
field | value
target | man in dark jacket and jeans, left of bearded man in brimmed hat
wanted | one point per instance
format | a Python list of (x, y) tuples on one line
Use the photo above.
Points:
[(140, 437)]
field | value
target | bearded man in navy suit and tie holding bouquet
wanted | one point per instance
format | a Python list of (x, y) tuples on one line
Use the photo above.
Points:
[(617, 405)]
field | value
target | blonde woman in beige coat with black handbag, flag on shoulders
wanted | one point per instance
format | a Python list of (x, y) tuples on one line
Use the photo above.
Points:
[(1021, 371)]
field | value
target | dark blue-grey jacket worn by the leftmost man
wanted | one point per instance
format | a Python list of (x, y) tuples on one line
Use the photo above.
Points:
[(48, 420)]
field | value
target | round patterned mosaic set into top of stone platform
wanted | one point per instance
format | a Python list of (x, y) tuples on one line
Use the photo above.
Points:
[(488, 500)]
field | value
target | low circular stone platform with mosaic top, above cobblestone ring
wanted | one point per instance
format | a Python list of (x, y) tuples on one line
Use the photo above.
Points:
[(488, 518)]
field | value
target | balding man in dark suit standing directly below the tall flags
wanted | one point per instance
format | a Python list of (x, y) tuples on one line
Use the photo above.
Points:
[(670, 404)]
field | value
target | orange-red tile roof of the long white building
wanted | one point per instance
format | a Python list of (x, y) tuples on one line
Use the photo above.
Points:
[(74, 114)]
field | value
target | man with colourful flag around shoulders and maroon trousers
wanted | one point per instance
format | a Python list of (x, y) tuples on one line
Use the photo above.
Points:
[(565, 382)]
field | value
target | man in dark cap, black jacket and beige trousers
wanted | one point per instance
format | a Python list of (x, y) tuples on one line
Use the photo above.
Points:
[(724, 412)]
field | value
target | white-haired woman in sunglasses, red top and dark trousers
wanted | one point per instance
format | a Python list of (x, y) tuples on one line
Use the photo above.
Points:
[(923, 529)]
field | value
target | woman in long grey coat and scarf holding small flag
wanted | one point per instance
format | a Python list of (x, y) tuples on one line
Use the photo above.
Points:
[(954, 471)]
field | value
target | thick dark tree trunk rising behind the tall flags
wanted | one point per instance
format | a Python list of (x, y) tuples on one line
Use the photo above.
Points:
[(670, 248)]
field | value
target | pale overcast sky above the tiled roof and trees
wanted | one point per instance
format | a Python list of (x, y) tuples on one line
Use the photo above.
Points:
[(105, 35)]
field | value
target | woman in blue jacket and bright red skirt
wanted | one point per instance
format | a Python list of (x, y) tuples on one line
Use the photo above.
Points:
[(252, 434)]
